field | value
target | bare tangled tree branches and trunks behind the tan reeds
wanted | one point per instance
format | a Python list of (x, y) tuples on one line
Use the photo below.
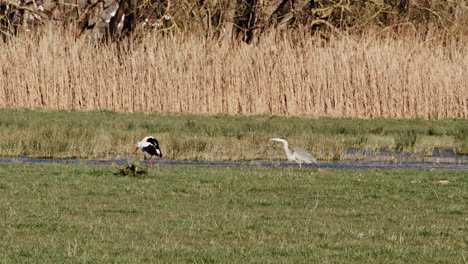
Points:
[(244, 20)]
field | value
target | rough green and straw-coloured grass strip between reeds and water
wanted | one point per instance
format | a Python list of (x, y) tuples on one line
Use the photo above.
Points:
[(105, 134)]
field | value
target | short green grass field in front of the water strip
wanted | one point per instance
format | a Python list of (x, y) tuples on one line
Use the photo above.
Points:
[(85, 214)]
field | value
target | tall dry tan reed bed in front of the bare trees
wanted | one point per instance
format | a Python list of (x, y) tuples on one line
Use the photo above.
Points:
[(349, 76)]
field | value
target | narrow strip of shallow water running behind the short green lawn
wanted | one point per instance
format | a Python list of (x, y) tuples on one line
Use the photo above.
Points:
[(458, 164)]
